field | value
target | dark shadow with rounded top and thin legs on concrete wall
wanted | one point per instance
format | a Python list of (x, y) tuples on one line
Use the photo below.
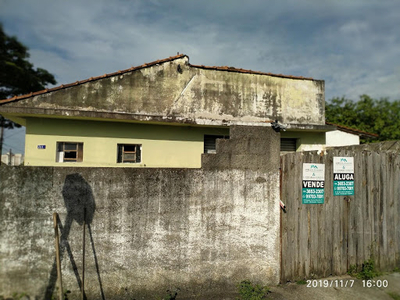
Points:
[(80, 205)]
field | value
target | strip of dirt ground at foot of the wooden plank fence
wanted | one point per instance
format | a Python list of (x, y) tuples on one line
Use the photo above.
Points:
[(337, 289)]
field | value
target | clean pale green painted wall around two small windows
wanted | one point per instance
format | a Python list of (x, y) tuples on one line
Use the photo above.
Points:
[(162, 146)]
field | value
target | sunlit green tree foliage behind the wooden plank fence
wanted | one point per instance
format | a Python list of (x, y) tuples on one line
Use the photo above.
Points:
[(379, 116)]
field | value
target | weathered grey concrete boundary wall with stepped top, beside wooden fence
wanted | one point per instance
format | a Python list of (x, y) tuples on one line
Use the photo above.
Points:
[(149, 230)]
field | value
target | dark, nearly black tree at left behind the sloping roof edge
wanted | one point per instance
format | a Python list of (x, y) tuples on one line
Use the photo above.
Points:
[(17, 75)]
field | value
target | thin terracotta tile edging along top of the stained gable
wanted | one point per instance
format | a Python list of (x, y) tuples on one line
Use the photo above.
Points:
[(160, 61)]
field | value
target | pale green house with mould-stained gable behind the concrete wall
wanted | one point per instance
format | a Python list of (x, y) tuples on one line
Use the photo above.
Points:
[(166, 113)]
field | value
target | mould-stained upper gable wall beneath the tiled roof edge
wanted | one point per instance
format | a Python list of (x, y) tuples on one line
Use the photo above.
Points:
[(176, 91)]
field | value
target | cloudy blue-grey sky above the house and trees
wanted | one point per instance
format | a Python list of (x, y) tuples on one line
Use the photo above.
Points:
[(354, 45)]
